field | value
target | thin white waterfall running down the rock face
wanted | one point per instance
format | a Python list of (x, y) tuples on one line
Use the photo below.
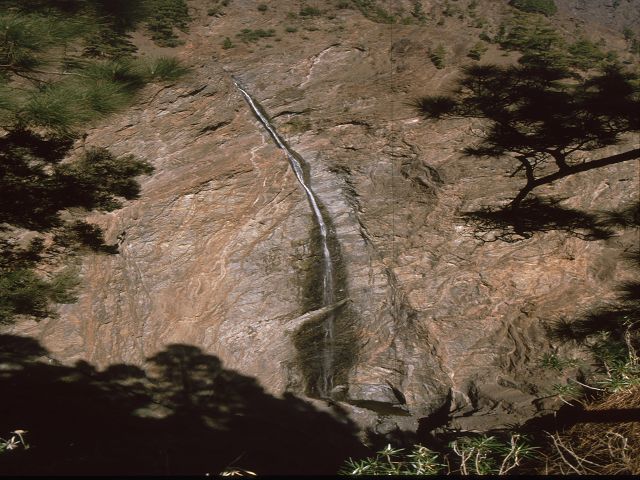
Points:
[(295, 160)]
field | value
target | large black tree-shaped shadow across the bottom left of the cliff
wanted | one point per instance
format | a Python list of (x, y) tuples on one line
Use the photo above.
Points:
[(185, 415)]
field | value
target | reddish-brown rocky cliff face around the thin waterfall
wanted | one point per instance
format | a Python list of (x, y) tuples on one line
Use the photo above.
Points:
[(219, 250)]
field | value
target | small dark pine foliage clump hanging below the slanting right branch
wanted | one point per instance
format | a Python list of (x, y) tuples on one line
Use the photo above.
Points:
[(539, 215)]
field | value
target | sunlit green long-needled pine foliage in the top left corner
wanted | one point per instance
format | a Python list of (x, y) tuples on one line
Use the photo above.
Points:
[(42, 88)]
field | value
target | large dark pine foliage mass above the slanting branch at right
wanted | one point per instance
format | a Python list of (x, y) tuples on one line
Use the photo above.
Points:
[(545, 117)]
